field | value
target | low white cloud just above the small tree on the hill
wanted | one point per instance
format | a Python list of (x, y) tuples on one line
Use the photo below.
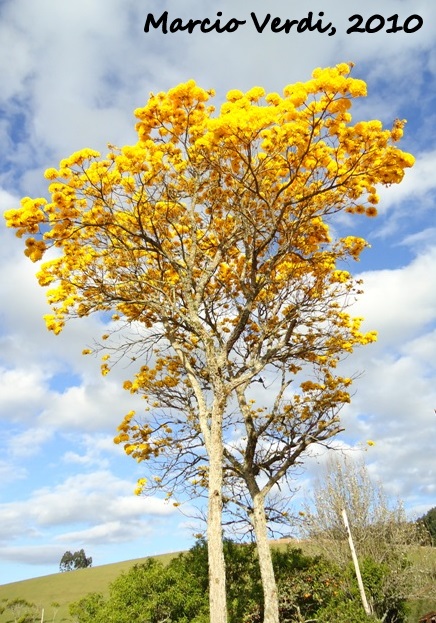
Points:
[(98, 502)]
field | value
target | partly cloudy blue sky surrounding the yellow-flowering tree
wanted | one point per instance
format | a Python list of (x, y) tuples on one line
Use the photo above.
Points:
[(71, 75)]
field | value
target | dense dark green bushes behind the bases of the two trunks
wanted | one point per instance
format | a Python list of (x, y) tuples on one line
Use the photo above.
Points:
[(311, 588)]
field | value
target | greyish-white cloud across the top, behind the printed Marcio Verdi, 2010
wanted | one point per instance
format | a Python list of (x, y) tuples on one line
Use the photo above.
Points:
[(84, 82)]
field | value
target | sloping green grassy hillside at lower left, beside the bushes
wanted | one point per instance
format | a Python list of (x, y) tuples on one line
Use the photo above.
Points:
[(65, 588)]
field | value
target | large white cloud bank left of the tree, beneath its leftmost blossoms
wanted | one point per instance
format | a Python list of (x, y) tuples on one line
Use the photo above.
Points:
[(31, 358)]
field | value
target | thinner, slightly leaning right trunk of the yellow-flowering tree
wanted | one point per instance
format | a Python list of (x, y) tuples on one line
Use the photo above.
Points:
[(269, 586)]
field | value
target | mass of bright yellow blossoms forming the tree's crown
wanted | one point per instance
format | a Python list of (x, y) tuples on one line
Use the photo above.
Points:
[(218, 219)]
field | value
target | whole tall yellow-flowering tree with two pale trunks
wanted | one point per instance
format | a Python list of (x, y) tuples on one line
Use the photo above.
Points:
[(210, 239)]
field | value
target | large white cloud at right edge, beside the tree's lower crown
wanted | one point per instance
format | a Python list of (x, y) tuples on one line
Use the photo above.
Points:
[(396, 393)]
